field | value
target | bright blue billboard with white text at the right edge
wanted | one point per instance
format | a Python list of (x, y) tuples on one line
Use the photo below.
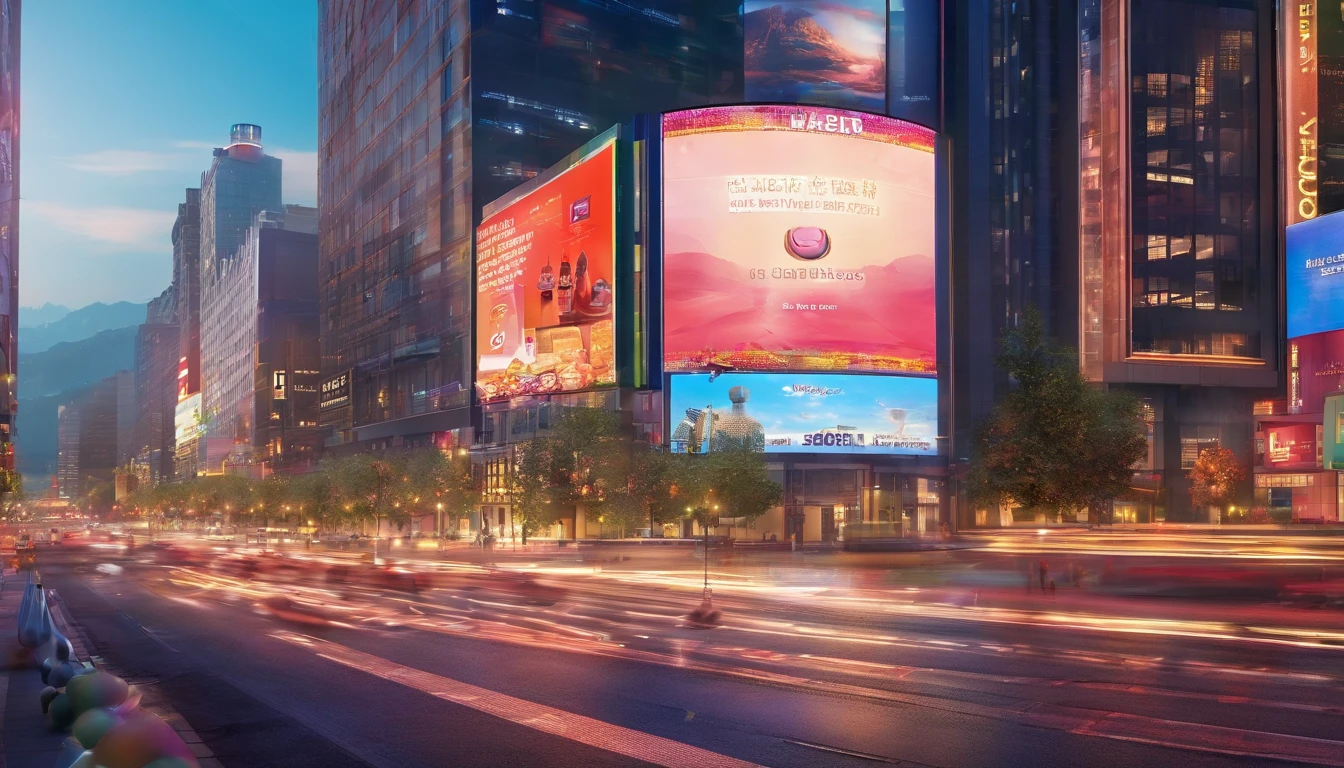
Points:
[(1315, 275)]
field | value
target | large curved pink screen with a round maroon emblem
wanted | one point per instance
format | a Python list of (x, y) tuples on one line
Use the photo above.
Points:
[(798, 239)]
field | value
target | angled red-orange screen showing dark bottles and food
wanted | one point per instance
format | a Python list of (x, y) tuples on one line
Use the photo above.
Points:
[(546, 283)]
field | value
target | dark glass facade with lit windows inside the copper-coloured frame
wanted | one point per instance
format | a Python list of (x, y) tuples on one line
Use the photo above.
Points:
[(1195, 173)]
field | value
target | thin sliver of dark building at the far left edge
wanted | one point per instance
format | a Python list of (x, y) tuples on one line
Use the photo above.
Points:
[(10, 28)]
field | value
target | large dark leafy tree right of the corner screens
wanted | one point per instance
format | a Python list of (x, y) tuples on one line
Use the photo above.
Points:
[(1053, 442)]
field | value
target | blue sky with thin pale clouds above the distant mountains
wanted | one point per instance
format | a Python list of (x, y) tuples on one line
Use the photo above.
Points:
[(123, 102)]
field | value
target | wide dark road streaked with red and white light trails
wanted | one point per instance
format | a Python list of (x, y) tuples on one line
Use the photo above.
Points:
[(610, 676)]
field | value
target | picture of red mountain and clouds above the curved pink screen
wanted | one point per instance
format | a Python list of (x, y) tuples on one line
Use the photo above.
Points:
[(816, 52)]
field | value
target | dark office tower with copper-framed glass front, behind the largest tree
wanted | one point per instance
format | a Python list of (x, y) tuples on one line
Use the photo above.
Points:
[(1130, 194)]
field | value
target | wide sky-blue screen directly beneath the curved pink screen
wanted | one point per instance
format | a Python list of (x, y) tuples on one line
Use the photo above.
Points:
[(804, 414)]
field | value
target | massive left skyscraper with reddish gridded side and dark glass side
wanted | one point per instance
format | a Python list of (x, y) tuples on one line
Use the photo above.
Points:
[(419, 130)]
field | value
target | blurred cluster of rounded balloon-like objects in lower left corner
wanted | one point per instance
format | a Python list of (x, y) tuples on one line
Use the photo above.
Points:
[(108, 730)]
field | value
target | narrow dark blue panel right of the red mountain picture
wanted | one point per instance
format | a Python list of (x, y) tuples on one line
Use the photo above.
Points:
[(913, 60)]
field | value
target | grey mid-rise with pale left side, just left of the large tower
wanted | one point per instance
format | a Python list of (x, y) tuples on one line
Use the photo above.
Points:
[(260, 354)]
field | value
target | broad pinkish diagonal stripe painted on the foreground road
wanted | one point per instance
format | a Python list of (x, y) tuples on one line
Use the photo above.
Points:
[(611, 738)]
